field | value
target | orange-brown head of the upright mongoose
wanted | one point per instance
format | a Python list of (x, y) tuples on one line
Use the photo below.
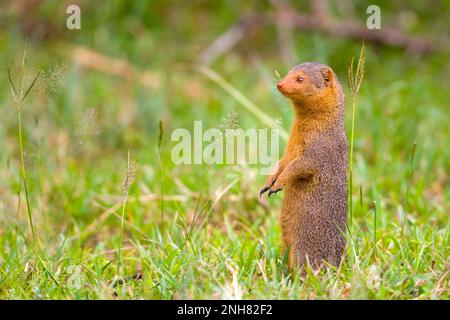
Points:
[(312, 85)]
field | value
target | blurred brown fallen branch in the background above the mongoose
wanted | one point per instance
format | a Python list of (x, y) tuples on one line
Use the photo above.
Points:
[(285, 18)]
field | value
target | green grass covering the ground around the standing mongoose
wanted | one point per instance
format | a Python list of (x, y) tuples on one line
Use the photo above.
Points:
[(201, 231)]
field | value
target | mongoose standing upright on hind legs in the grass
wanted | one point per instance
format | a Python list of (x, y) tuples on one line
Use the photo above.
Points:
[(313, 170)]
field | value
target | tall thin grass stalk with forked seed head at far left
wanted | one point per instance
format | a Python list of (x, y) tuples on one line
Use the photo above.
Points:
[(18, 96)]
